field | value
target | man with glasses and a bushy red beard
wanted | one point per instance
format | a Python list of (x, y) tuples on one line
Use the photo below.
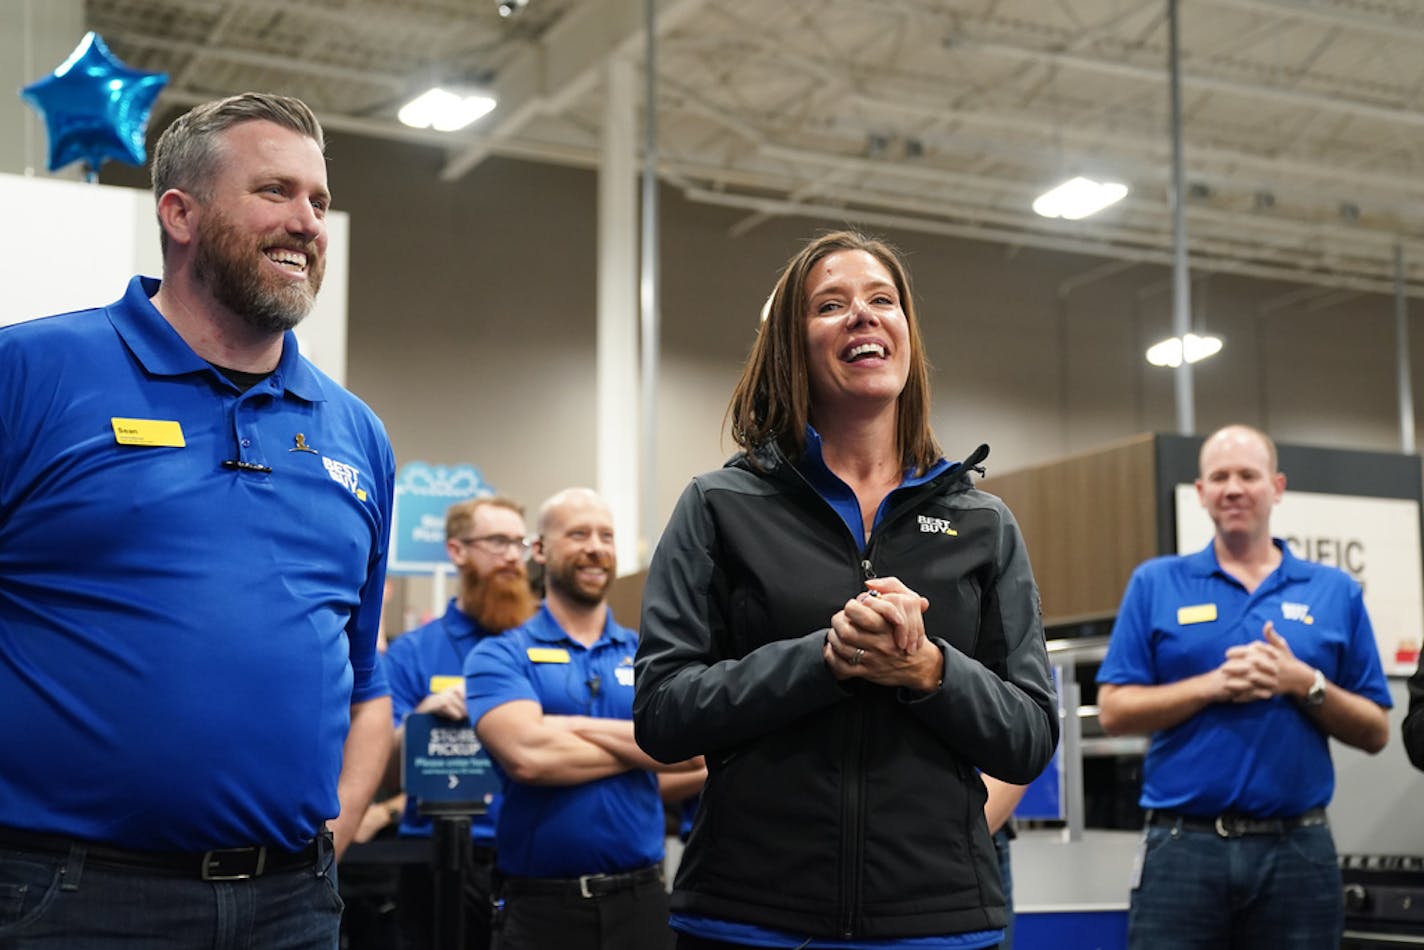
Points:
[(485, 539)]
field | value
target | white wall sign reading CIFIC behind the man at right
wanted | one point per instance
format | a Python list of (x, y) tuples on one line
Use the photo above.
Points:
[(1373, 541)]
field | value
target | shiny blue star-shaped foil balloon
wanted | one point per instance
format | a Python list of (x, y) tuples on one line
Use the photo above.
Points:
[(95, 108)]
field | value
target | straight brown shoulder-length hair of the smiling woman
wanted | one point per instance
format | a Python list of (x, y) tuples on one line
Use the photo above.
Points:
[(773, 401)]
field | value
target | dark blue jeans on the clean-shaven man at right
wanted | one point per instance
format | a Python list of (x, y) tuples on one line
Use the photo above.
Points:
[(1205, 892)]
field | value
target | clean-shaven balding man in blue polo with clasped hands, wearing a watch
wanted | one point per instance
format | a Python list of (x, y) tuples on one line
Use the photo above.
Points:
[(1242, 662)]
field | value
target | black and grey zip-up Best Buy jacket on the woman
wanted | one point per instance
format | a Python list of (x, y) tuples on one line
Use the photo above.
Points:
[(841, 810)]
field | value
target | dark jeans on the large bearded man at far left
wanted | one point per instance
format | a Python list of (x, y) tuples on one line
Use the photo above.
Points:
[(63, 902)]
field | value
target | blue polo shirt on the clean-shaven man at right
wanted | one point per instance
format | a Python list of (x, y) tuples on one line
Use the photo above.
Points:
[(1267, 758)]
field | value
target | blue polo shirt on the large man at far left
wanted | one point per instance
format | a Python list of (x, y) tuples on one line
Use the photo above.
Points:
[(180, 642)]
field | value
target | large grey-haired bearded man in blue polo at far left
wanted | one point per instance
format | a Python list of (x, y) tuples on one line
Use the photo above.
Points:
[(193, 550)]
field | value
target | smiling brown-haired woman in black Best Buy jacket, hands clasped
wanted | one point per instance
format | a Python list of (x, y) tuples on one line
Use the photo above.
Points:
[(849, 632)]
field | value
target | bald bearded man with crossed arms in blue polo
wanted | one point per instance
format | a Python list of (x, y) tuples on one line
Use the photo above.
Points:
[(580, 828)]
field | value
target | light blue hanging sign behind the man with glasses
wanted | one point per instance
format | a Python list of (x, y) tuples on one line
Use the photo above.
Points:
[(424, 492)]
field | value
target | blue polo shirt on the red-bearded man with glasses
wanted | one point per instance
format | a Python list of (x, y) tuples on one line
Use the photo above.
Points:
[(414, 663)]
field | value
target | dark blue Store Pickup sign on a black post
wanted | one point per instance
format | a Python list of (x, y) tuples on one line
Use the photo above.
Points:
[(445, 763)]
